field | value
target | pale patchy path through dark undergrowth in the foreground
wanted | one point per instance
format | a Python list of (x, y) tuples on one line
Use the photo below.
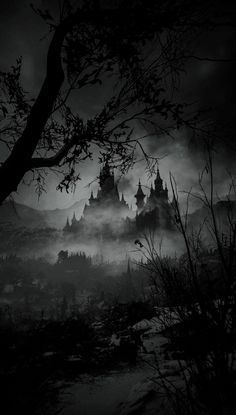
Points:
[(127, 390)]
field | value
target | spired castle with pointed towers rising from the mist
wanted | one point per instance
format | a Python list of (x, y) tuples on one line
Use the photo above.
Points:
[(108, 215)]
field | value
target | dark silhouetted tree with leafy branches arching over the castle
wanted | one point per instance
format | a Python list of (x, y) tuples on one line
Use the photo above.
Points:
[(140, 45)]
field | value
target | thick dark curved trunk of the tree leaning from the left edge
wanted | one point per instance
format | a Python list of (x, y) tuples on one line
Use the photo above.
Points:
[(18, 163)]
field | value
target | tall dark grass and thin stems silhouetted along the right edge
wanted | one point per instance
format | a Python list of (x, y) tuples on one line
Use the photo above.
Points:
[(198, 292)]
